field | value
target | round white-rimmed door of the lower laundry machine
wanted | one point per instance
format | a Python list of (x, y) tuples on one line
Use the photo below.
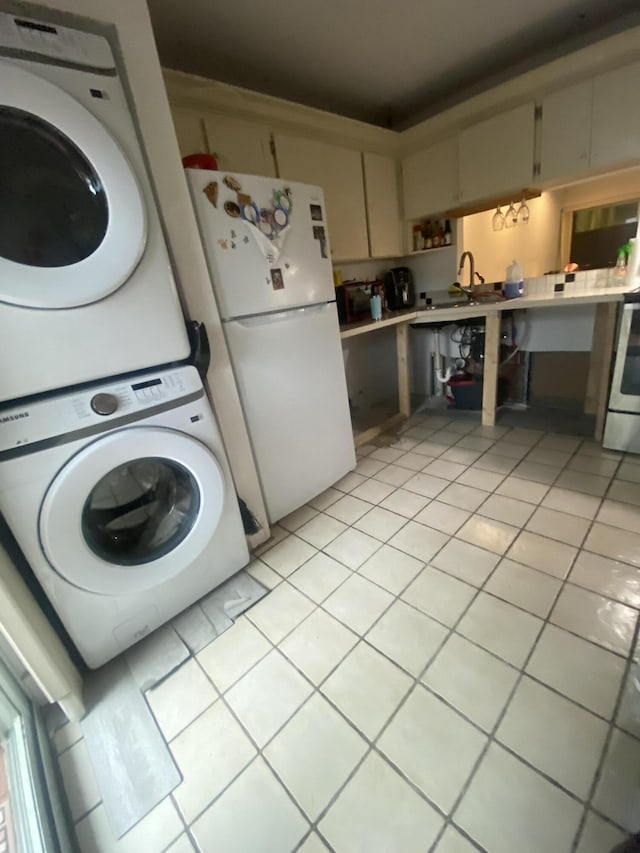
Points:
[(131, 510)]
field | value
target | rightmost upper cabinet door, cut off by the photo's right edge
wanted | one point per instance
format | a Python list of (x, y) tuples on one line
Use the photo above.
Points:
[(615, 138)]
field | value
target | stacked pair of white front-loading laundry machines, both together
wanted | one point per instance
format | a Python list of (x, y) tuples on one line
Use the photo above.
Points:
[(113, 475)]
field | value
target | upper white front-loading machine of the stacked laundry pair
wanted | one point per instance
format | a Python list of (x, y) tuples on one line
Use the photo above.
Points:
[(86, 288)]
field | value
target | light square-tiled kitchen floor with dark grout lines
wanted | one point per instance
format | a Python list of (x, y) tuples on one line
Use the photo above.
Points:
[(447, 662)]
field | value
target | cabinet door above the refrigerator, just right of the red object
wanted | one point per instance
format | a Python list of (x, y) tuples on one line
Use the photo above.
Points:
[(240, 146)]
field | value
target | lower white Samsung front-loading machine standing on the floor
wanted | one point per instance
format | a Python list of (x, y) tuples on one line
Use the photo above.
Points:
[(121, 499)]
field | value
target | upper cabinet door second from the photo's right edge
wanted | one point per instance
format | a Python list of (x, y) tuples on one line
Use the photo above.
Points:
[(566, 132)]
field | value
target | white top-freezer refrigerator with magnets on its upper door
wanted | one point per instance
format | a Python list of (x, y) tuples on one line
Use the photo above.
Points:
[(267, 248)]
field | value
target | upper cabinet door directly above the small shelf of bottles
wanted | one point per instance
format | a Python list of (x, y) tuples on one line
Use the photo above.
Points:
[(430, 179)]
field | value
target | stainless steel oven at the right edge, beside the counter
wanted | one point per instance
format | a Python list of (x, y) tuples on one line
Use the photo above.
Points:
[(622, 430)]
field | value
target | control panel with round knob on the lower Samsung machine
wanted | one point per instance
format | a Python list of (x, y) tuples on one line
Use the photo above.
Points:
[(96, 408)]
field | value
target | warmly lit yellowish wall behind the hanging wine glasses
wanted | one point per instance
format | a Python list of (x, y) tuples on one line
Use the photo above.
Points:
[(535, 245)]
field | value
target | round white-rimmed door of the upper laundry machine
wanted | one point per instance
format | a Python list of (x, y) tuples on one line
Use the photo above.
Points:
[(72, 218)]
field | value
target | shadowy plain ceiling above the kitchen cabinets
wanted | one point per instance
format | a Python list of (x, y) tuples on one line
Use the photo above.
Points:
[(387, 62)]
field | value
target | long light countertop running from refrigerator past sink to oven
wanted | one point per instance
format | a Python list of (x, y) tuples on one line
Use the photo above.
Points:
[(444, 311)]
